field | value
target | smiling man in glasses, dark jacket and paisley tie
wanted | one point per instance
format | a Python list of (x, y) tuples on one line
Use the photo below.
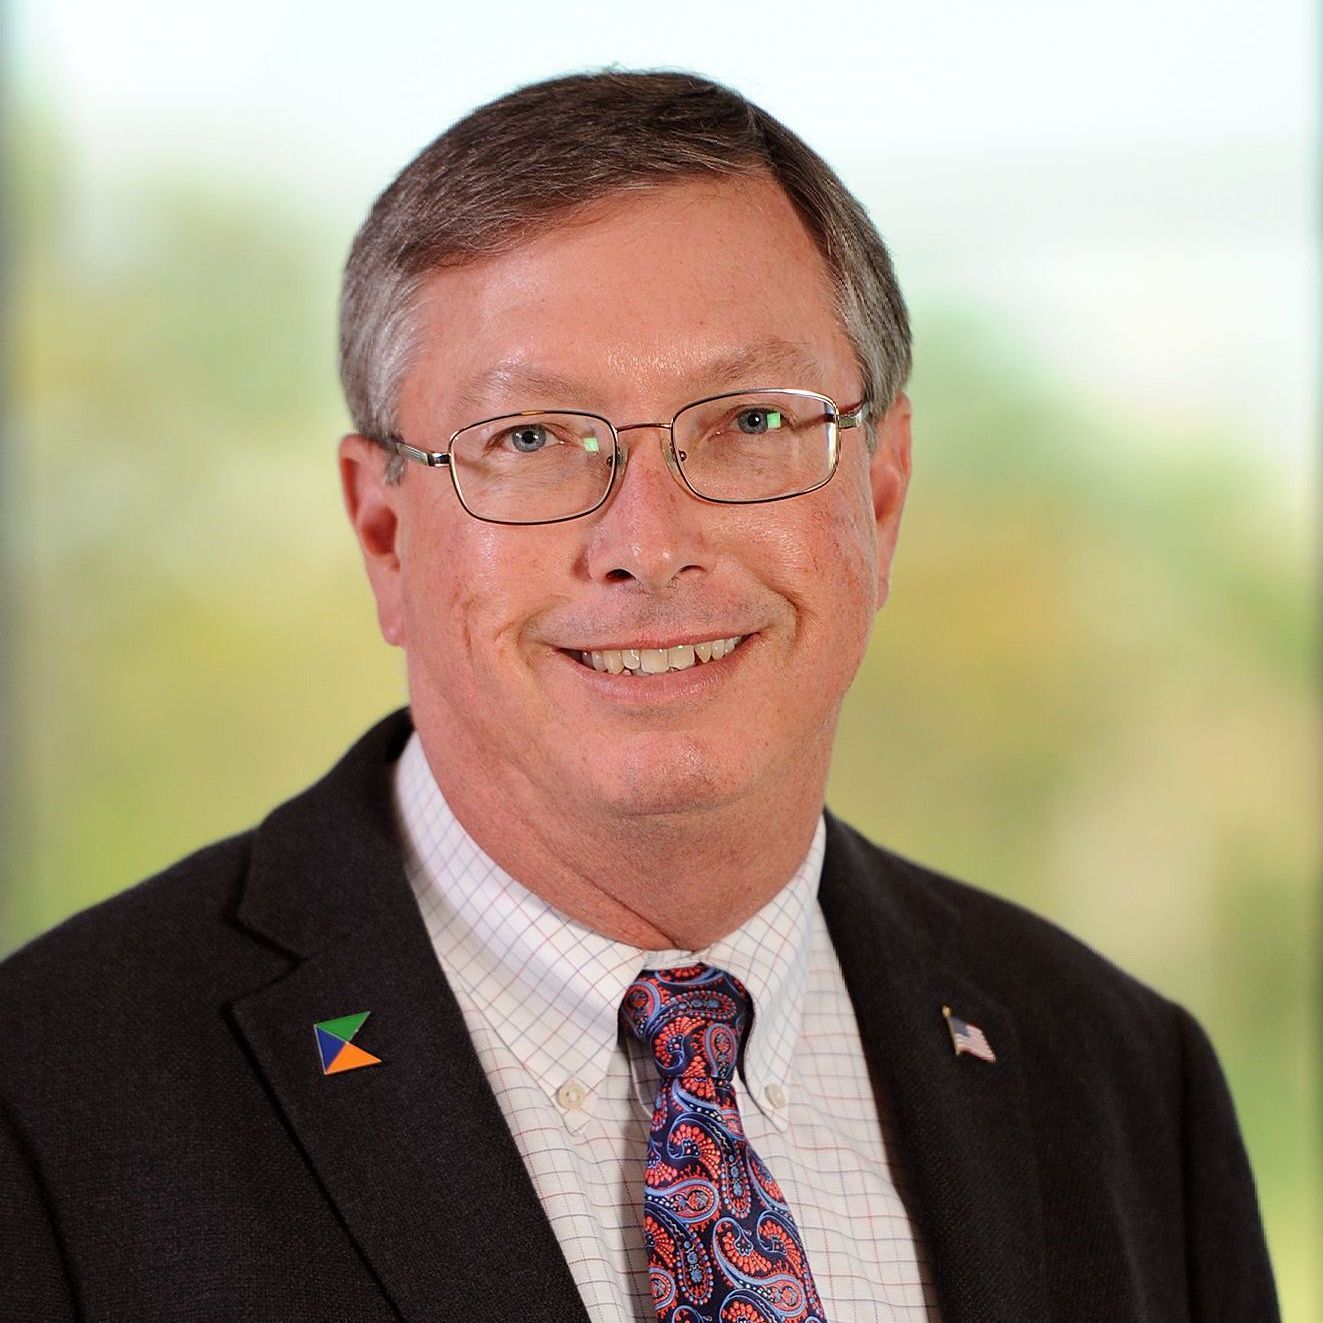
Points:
[(560, 998)]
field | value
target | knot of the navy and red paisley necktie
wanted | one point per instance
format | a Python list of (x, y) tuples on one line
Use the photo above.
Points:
[(694, 1019)]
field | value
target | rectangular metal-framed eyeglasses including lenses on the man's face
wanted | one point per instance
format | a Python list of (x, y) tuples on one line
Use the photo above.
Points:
[(544, 466)]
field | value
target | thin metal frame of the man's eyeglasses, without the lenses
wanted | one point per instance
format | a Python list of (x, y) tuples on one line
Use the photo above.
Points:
[(842, 420)]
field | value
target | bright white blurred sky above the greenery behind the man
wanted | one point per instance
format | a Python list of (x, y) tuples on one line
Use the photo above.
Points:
[(1129, 190)]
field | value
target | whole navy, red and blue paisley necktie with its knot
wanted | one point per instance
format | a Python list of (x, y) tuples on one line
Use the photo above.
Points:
[(723, 1247)]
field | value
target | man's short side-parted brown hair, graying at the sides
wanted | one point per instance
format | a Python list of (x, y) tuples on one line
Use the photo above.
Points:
[(519, 166)]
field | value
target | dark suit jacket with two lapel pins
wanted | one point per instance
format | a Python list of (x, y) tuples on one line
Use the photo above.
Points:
[(171, 1149)]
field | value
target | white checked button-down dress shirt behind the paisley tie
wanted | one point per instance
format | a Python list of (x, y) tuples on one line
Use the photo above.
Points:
[(540, 996)]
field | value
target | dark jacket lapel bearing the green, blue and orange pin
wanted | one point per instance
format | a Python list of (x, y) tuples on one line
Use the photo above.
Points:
[(415, 1153)]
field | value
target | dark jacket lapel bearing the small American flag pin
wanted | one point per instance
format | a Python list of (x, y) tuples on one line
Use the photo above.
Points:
[(962, 1124)]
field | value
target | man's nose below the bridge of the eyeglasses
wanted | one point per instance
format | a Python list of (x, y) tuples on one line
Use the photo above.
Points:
[(653, 531)]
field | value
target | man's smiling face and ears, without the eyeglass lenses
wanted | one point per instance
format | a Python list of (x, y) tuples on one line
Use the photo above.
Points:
[(658, 301)]
